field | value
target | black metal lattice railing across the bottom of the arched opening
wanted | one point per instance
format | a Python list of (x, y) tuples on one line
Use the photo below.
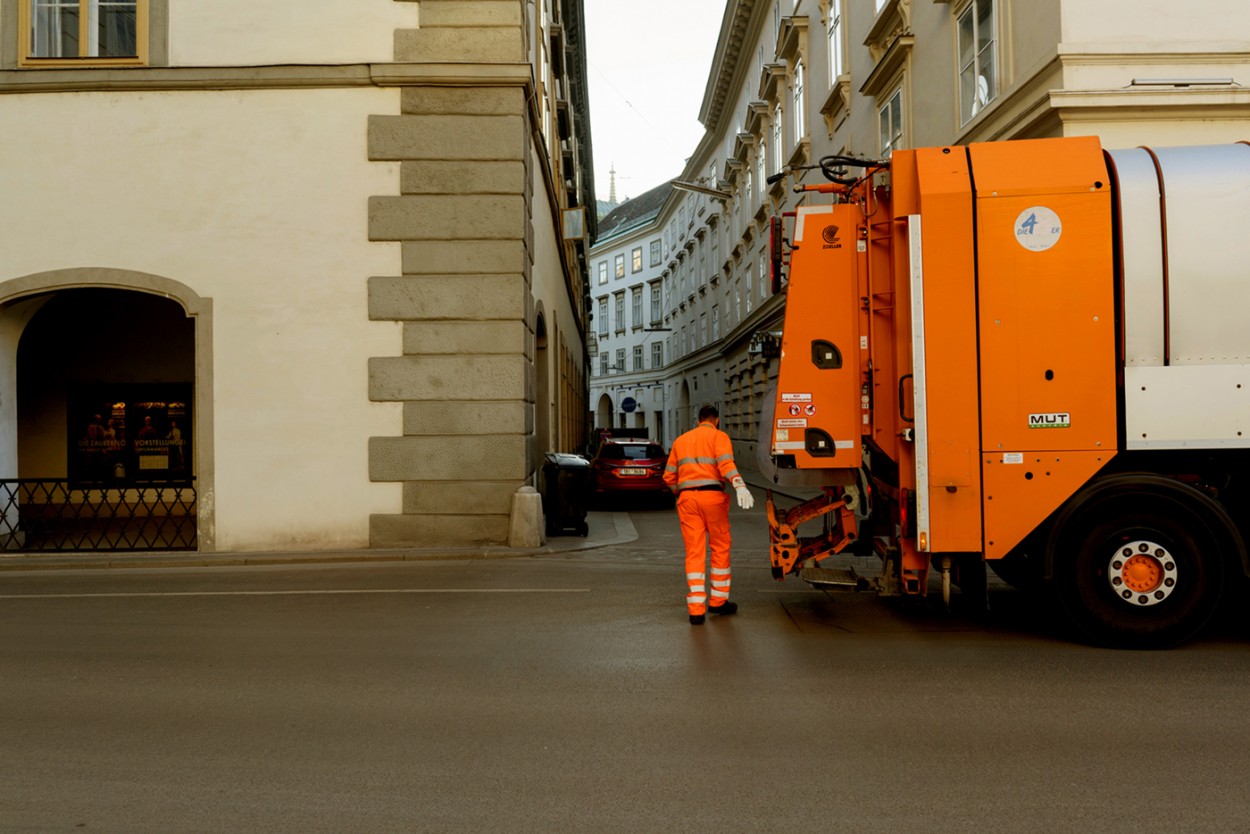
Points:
[(43, 515)]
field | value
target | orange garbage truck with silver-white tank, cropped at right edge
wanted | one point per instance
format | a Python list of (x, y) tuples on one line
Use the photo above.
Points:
[(1032, 357)]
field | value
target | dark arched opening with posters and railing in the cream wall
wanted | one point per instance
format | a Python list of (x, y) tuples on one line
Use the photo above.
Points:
[(101, 397)]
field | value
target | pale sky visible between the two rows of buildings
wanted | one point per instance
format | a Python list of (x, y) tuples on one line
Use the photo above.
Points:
[(648, 69)]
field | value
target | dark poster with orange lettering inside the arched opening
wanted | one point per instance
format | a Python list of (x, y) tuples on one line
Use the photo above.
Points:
[(126, 435)]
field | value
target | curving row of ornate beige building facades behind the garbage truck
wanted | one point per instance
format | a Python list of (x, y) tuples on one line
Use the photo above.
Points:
[(797, 81)]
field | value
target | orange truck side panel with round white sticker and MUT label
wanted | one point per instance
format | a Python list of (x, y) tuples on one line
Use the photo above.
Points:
[(1046, 268)]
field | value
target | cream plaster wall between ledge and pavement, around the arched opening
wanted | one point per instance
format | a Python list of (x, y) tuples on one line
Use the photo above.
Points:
[(258, 202)]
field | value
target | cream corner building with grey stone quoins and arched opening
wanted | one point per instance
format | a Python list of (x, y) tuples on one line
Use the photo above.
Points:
[(319, 266)]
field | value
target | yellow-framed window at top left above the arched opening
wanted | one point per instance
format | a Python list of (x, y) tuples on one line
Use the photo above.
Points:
[(97, 32)]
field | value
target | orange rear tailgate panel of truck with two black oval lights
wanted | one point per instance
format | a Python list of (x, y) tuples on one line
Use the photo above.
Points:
[(819, 382)]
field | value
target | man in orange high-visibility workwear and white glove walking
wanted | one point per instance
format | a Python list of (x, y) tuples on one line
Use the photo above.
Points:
[(699, 465)]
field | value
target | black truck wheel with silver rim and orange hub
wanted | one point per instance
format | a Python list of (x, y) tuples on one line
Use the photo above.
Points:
[(1138, 566)]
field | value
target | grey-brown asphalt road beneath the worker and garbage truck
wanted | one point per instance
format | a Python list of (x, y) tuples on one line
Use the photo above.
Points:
[(568, 693)]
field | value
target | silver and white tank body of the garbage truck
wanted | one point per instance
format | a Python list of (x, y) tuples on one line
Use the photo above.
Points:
[(1186, 253)]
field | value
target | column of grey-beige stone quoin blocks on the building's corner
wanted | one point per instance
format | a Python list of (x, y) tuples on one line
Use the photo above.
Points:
[(464, 298)]
